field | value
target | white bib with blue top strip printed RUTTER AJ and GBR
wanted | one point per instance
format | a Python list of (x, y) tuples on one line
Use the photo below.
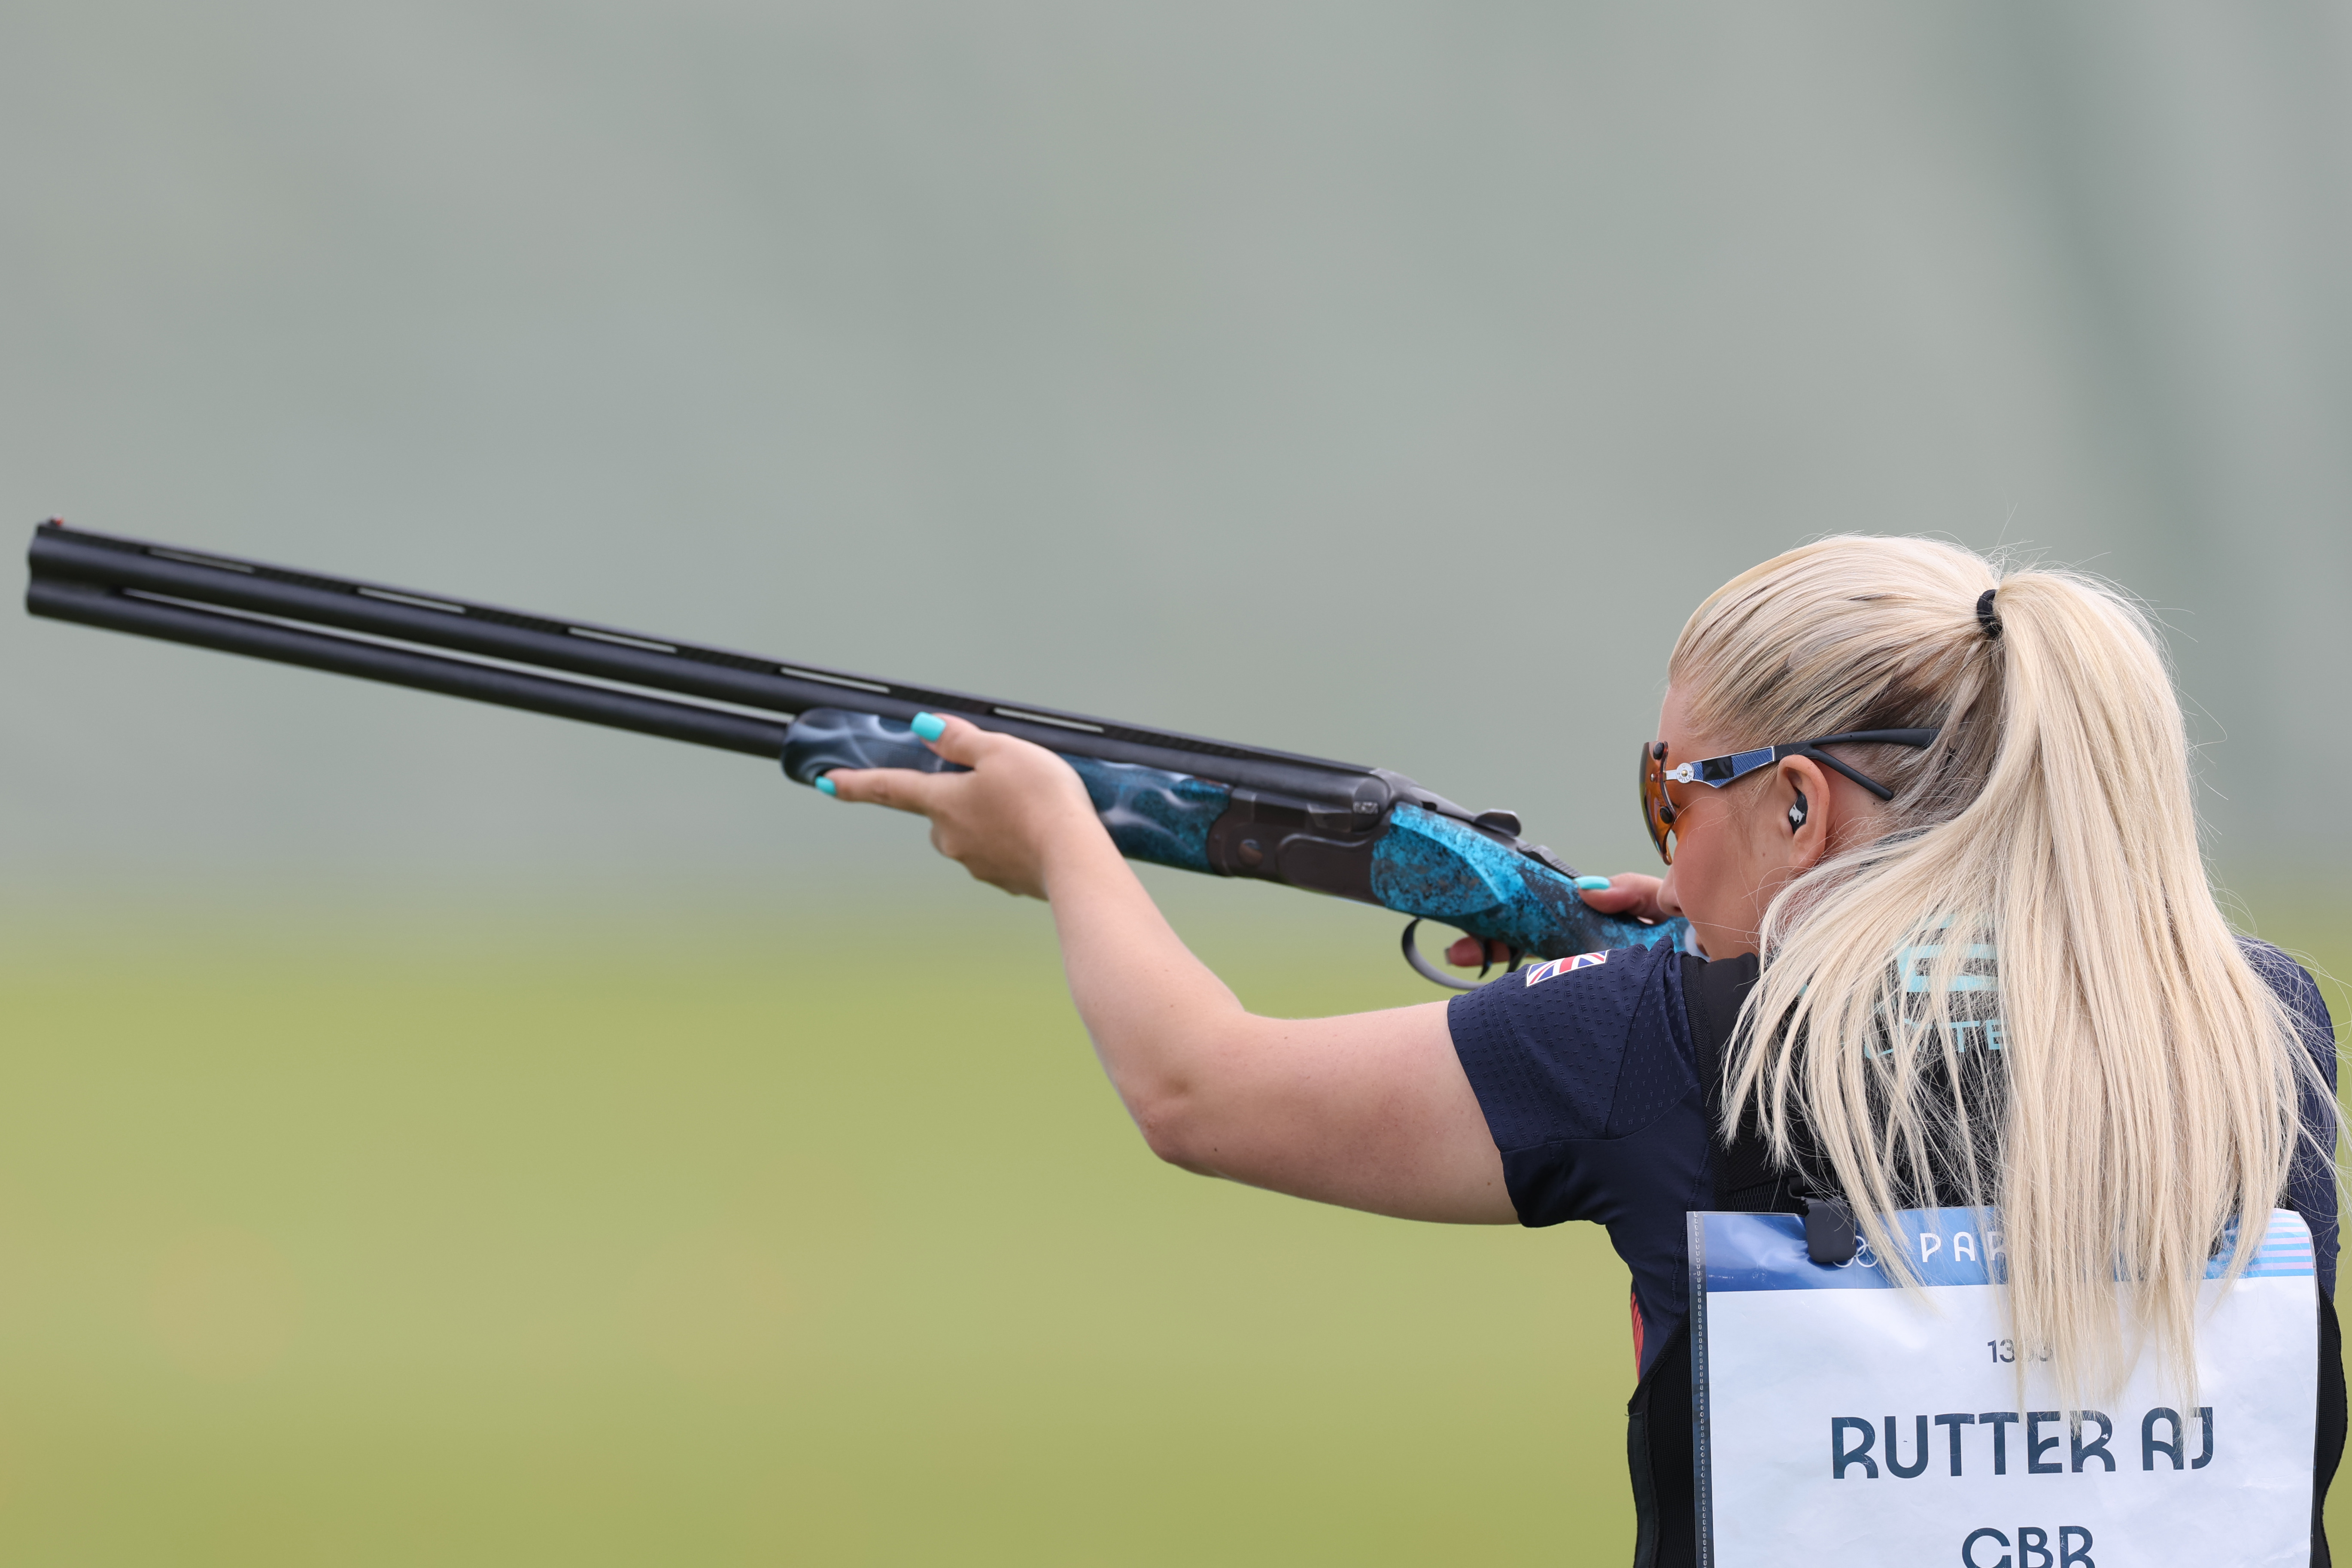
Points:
[(1845, 1421)]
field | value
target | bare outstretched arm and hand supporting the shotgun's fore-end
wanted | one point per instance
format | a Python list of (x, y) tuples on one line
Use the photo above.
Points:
[(1370, 1111)]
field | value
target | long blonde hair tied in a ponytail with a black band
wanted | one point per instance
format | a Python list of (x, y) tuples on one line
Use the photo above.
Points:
[(2024, 991)]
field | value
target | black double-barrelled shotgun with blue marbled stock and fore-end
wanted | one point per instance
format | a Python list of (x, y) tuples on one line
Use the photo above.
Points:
[(1177, 800)]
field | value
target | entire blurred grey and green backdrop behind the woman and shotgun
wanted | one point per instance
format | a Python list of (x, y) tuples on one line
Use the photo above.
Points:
[(439, 1134)]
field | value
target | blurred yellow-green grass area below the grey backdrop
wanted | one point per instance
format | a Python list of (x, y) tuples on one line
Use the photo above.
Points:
[(502, 1235)]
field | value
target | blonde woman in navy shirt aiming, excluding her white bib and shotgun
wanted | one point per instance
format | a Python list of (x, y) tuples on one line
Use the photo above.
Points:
[(1935, 838)]
